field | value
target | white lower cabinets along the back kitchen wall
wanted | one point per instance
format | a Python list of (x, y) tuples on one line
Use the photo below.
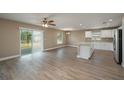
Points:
[(103, 46)]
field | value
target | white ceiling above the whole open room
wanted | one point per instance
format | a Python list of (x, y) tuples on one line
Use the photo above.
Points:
[(69, 21)]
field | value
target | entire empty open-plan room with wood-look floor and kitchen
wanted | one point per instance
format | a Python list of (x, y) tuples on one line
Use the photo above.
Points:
[(29, 38)]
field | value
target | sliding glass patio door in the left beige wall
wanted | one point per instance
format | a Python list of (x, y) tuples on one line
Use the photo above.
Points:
[(31, 41)]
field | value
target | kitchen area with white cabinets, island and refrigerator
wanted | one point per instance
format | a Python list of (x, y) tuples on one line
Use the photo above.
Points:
[(105, 40)]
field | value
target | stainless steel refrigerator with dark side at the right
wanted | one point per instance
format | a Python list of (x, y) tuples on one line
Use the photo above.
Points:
[(117, 44)]
